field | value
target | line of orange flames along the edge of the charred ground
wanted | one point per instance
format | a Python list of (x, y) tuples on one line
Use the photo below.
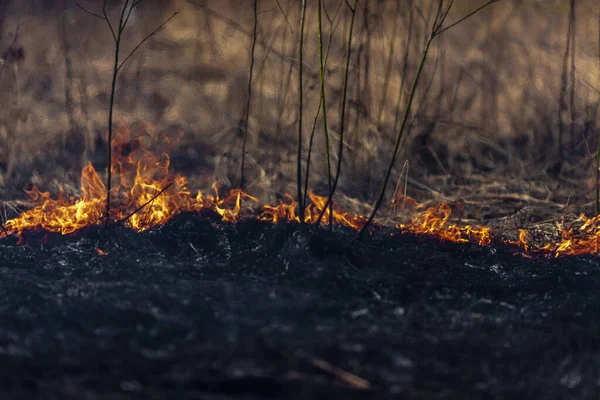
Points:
[(146, 193)]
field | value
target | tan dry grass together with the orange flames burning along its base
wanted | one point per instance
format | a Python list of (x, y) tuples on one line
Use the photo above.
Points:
[(489, 105)]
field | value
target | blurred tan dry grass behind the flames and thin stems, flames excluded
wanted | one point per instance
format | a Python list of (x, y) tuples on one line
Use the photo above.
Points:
[(506, 114)]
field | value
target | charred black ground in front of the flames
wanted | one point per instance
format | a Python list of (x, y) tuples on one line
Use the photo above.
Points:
[(199, 309)]
